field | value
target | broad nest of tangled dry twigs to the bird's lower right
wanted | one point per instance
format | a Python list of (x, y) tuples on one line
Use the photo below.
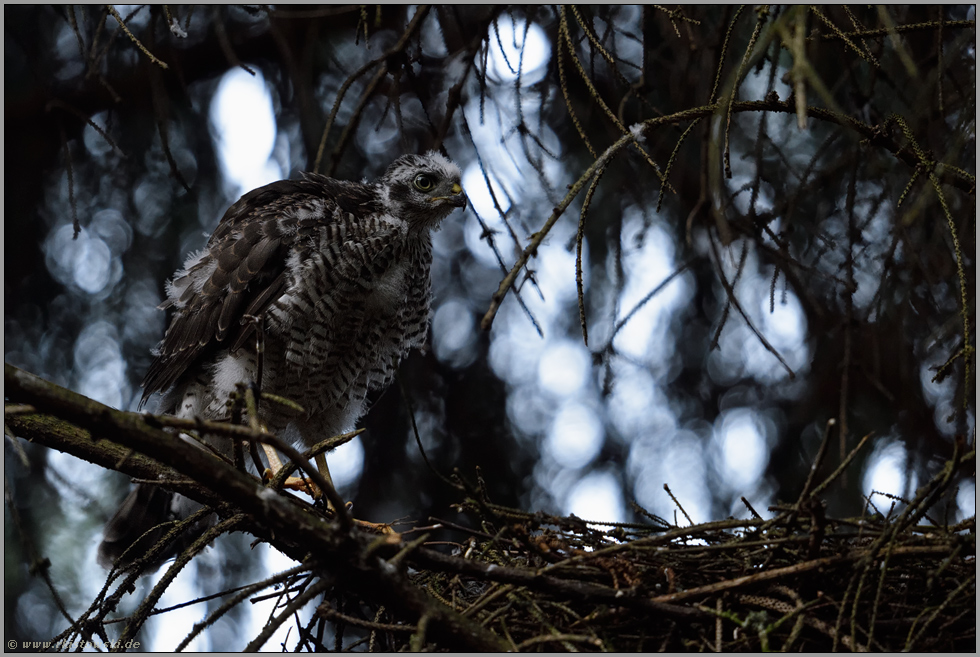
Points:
[(797, 581)]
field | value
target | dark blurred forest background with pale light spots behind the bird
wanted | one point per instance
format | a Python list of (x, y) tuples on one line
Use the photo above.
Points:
[(748, 272)]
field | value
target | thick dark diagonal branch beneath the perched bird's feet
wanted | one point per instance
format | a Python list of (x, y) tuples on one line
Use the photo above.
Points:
[(357, 556)]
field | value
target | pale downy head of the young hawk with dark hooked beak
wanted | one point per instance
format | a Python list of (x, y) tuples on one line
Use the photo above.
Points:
[(422, 189)]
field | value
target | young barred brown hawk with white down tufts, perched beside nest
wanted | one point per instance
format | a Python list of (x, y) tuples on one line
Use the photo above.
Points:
[(337, 273)]
